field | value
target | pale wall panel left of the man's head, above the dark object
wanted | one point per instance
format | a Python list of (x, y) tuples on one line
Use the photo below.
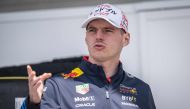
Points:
[(36, 36)]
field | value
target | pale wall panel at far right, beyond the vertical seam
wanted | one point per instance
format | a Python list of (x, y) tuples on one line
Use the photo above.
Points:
[(165, 53)]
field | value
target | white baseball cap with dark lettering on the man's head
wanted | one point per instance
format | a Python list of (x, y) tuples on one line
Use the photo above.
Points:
[(109, 13)]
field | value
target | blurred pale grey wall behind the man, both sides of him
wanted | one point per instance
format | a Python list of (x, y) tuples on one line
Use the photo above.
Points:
[(34, 31)]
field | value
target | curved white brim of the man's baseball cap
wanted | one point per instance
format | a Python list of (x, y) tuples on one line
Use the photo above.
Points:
[(85, 23)]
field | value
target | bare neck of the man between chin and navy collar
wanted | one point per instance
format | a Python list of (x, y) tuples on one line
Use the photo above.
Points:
[(109, 66)]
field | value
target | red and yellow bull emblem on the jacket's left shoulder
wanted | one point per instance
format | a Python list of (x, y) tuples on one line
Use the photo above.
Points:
[(73, 74)]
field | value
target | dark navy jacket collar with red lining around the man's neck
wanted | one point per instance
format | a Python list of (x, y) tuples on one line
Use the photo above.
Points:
[(97, 74)]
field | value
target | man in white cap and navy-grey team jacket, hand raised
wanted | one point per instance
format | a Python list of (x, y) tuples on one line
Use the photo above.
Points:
[(99, 82)]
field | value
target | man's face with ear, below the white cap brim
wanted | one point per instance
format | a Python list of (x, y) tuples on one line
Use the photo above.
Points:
[(104, 41)]
